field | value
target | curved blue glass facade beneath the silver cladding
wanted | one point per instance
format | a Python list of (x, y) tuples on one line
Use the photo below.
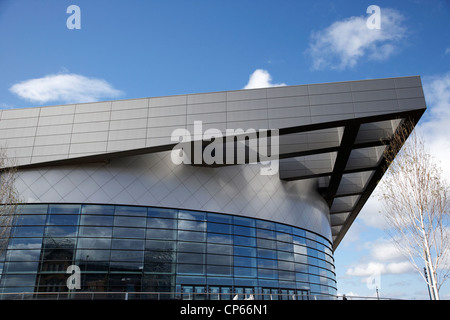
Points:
[(180, 254)]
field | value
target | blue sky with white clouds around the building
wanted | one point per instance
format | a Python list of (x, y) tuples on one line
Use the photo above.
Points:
[(134, 49)]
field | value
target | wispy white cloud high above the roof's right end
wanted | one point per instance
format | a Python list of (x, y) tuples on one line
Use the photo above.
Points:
[(345, 42)]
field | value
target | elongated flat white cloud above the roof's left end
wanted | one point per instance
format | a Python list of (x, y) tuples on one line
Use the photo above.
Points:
[(65, 88)]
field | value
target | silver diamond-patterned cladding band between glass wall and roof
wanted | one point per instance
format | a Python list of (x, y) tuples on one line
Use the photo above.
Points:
[(153, 180)]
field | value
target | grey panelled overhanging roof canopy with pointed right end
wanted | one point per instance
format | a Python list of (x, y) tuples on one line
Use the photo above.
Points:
[(333, 132)]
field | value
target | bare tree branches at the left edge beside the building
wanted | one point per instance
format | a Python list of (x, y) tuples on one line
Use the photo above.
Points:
[(9, 197)]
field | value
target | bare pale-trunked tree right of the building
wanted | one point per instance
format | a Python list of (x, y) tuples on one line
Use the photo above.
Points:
[(415, 199)]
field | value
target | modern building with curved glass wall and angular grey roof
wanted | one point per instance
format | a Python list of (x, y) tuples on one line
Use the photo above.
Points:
[(102, 190)]
